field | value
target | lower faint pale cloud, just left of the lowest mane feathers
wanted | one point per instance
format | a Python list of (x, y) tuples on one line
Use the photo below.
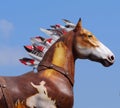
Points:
[(10, 55)]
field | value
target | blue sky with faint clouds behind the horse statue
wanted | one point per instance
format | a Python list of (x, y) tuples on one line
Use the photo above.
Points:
[(95, 86)]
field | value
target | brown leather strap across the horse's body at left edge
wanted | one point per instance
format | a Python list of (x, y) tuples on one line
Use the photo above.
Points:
[(6, 94)]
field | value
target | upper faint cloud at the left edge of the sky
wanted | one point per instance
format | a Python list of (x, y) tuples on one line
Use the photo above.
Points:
[(6, 28)]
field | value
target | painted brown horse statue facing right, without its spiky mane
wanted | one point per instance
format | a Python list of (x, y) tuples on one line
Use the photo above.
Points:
[(52, 85)]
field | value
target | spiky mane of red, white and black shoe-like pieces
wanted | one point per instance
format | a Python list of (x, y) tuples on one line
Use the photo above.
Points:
[(41, 45)]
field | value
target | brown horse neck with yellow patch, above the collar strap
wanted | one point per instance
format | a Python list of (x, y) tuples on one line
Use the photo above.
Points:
[(61, 54)]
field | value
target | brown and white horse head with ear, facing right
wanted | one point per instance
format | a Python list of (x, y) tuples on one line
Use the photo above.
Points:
[(87, 46)]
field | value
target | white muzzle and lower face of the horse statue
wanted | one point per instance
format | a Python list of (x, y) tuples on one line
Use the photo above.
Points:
[(99, 53)]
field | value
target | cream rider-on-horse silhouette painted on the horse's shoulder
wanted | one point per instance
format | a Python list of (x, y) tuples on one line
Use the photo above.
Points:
[(41, 99)]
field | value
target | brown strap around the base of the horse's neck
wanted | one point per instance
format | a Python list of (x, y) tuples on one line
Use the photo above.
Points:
[(58, 69)]
